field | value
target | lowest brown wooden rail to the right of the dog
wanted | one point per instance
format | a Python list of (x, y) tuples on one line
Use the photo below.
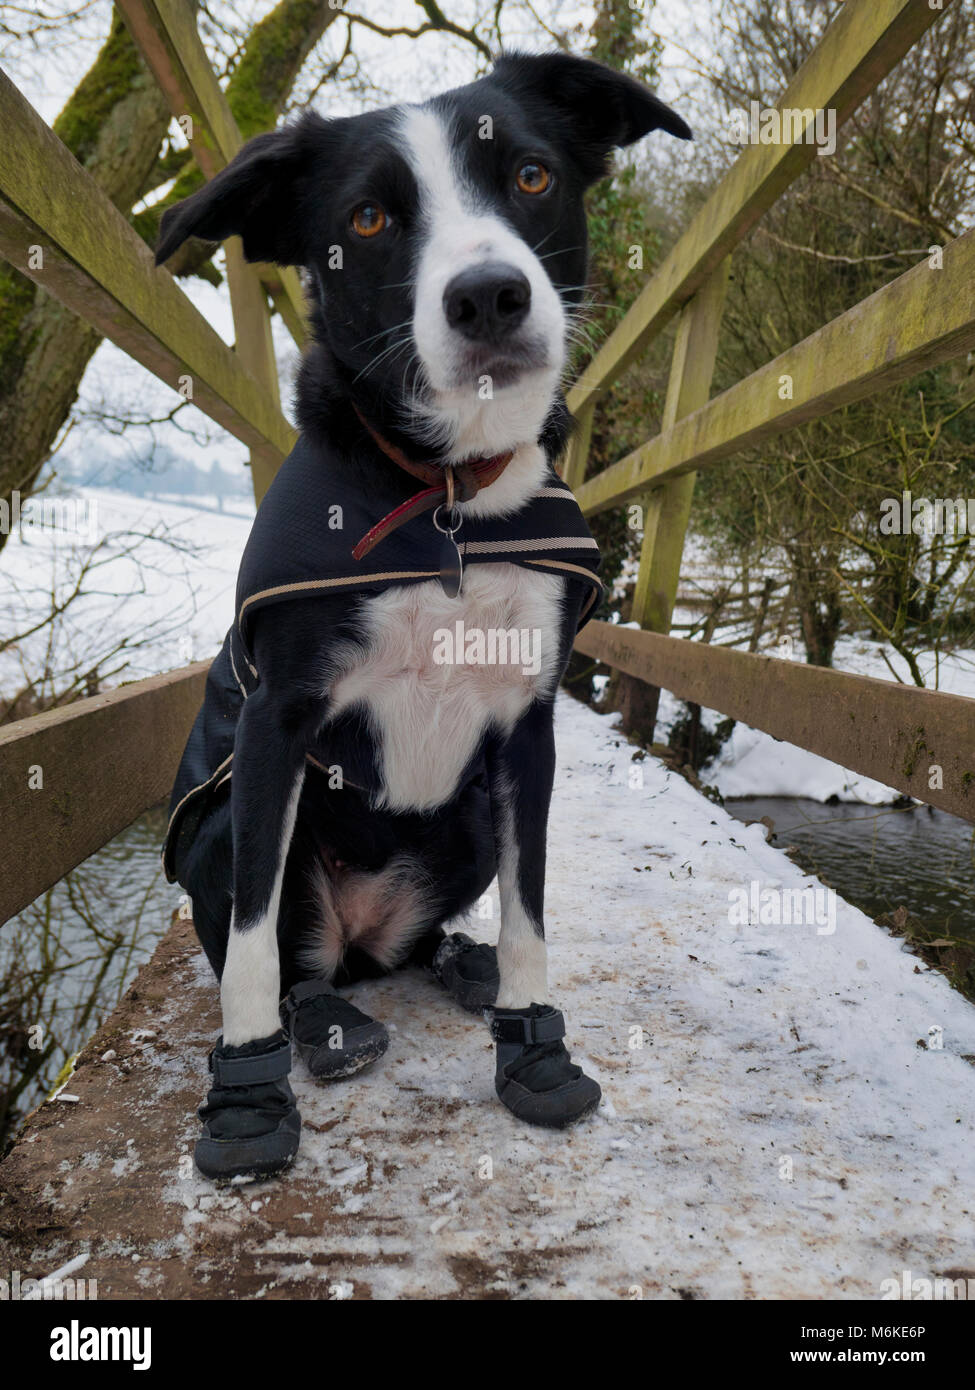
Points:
[(898, 735)]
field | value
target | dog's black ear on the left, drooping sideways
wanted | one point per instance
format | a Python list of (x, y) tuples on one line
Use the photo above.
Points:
[(258, 198)]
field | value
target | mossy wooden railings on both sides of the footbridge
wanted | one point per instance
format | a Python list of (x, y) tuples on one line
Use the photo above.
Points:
[(109, 758)]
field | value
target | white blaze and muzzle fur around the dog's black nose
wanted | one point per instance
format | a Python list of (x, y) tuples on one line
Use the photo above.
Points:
[(458, 233)]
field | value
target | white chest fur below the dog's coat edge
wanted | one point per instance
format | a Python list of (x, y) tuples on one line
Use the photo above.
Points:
[(437, 672)]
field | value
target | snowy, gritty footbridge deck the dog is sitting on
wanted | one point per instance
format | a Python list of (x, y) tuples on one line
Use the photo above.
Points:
[(778, 1120)]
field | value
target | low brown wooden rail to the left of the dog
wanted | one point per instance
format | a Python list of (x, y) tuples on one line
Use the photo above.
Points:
[(74, 778)]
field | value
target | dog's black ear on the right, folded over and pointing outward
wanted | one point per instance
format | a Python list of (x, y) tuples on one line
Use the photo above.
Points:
[(603, 108)]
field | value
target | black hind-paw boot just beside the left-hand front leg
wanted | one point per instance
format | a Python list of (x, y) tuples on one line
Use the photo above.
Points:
[(333, 1036)]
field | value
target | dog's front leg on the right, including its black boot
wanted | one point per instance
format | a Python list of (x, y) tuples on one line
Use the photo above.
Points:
[(535, 1075)]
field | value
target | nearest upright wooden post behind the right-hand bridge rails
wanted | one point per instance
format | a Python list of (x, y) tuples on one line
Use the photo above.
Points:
[(667, 509)]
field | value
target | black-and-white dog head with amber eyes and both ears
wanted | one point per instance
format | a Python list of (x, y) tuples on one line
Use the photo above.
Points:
[(446, 244)]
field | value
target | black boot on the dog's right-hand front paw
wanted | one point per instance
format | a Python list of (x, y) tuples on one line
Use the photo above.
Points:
[(536, 1078)]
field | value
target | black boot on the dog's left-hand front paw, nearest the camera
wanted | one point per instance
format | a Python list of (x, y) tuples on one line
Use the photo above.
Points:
[(251, 1121)]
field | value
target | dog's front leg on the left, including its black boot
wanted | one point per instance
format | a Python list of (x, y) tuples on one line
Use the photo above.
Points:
[(251, 1121)]
